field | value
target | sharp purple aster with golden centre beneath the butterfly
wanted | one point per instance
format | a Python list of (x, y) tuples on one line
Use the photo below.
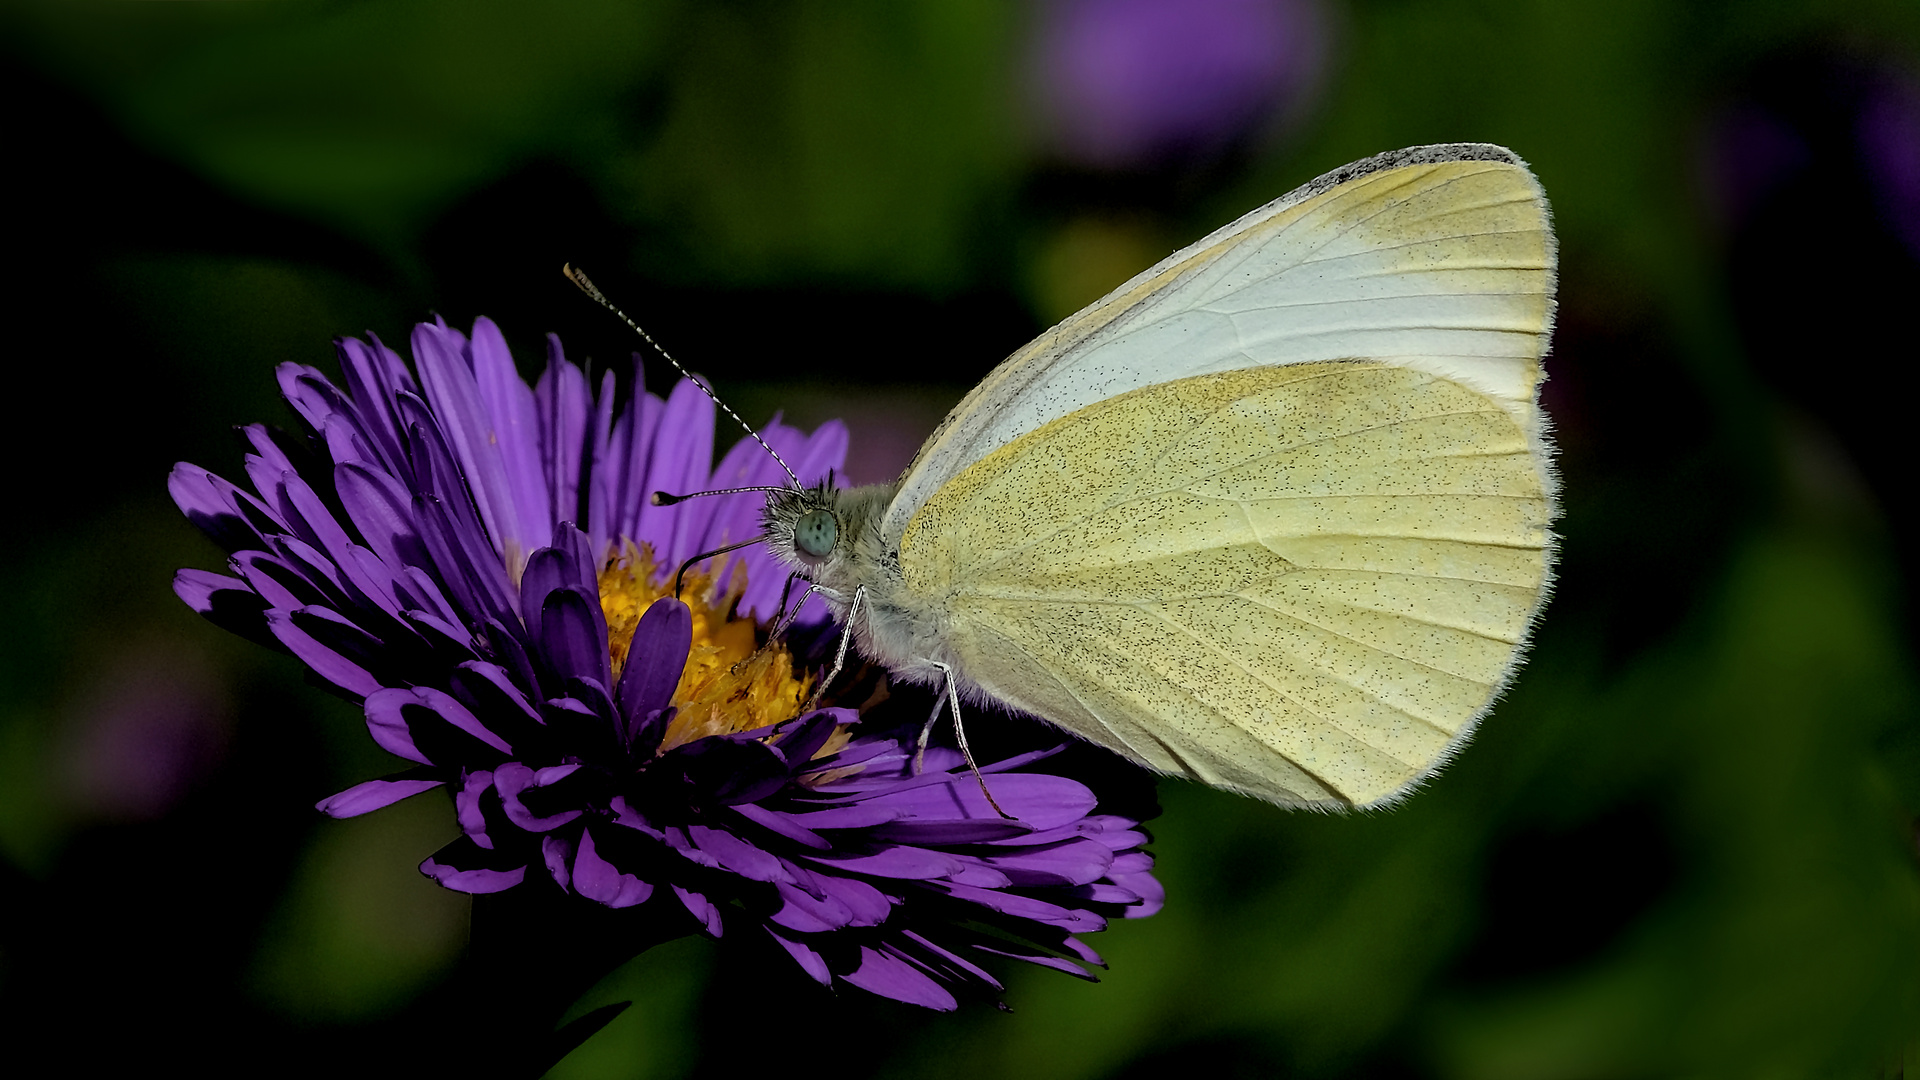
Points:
[(479, 566)]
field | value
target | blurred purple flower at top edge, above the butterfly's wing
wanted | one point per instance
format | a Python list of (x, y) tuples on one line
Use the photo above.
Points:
[(1136, 82)]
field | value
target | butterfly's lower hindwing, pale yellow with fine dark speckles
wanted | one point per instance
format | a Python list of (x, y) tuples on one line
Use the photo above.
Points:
[(1305, 583)]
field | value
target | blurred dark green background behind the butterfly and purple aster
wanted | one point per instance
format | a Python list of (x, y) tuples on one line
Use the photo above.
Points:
[(1685, 845)]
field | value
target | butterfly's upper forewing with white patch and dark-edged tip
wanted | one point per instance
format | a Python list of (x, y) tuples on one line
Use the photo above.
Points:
[(1437, 258)]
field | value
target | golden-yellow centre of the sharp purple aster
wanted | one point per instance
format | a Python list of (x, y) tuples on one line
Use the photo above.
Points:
[(731, 683)]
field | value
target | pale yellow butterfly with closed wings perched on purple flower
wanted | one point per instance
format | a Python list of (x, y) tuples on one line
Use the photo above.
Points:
[(1274, 516)]
